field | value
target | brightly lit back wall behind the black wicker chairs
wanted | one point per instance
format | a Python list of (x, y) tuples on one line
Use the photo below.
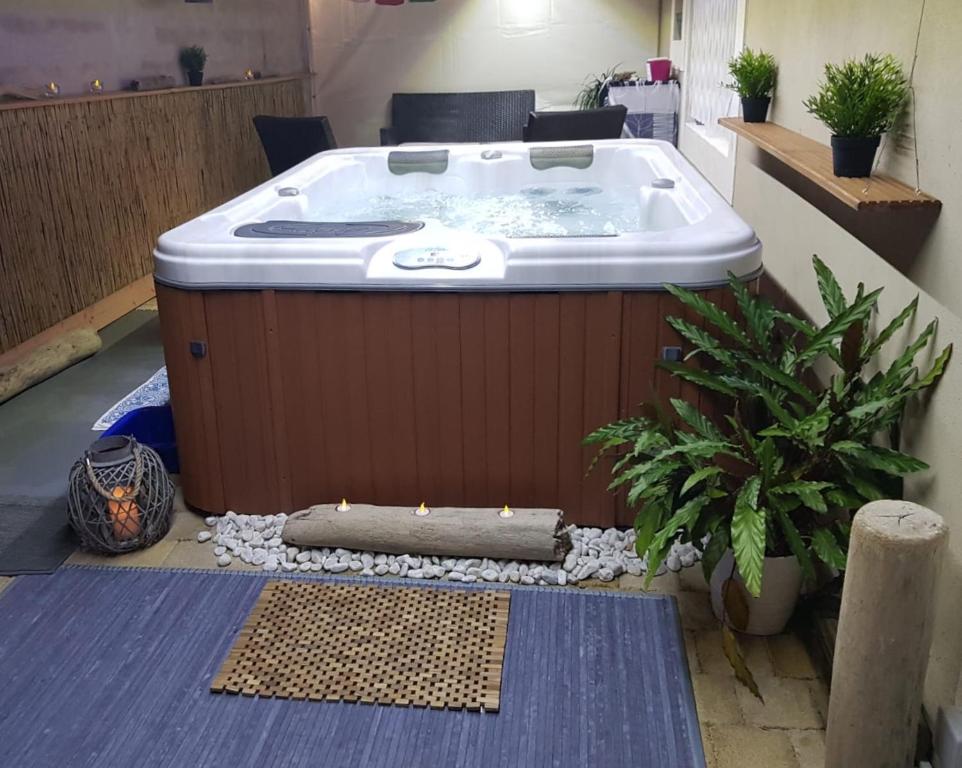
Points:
[(362, 52)]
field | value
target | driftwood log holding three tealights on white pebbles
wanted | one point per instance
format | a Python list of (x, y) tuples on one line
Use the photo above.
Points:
[(529, 534)]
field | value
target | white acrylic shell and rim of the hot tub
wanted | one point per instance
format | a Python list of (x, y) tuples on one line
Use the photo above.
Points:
[(712, 241)]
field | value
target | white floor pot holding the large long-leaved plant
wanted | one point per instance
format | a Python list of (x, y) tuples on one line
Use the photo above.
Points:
[(781, 586)]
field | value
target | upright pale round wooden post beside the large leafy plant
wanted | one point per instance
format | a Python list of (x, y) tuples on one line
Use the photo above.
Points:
[(884, 632)]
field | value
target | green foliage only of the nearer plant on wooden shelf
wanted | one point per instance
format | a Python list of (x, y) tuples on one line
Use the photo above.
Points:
[(861, 98)]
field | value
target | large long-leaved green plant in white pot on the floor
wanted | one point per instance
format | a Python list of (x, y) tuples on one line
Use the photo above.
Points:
[(766, 490)]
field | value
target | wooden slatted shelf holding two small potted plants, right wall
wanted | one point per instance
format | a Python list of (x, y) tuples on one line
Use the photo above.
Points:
[(814, 161)]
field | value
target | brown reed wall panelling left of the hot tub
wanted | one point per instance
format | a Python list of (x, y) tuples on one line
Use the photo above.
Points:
[(87, 185)]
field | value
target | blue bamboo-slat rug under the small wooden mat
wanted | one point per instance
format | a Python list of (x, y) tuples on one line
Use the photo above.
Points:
[(111, 667)]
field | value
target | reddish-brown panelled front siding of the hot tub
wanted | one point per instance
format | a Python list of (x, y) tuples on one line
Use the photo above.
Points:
[(394, 398)]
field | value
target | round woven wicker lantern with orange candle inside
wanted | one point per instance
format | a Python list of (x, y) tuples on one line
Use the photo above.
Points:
[(120, 496)]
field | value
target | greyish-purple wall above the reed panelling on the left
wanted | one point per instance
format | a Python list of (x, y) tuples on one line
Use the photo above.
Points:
[(74, 41)]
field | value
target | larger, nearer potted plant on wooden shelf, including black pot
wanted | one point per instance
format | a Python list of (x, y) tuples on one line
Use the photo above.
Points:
[(859, 101)]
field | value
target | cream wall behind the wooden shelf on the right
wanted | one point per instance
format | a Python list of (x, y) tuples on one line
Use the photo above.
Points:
[(803, 34)]
